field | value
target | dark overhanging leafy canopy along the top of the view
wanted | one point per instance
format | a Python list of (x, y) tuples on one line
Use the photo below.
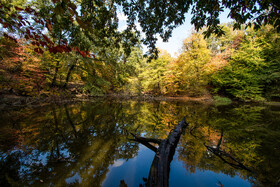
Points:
[(156, 17)]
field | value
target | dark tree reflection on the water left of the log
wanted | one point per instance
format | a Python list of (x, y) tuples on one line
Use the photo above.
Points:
[(64, 142)]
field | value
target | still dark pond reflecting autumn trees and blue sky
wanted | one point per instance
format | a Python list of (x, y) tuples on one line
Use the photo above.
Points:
[(90, 144)]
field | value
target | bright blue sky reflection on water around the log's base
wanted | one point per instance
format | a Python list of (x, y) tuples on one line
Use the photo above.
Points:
[(133, 171)]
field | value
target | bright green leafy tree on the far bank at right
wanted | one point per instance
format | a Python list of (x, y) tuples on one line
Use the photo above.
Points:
[(247, 76)]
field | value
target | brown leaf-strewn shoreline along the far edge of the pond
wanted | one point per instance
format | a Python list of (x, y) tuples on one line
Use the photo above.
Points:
[(8, 101)]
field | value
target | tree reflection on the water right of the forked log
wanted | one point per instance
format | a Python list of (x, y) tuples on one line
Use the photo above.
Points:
[(245, 143)]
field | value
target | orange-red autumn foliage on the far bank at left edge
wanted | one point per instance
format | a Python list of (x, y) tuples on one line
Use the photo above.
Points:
[(20, 71)]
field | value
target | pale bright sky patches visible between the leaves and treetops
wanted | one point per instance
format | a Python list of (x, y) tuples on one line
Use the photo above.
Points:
[(180, 33)]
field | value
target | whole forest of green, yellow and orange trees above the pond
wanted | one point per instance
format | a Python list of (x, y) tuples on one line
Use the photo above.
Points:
[(47, 50)]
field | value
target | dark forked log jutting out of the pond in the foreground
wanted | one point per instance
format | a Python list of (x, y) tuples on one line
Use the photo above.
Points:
[(159, 172)]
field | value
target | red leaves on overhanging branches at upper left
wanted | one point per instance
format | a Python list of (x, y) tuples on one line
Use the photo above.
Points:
[(19, 21)]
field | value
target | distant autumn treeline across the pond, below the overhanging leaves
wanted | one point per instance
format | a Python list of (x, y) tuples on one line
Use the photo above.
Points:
[(242, 64)]
